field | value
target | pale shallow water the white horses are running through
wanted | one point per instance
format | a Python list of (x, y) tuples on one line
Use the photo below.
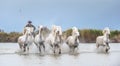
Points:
[(86, 56)]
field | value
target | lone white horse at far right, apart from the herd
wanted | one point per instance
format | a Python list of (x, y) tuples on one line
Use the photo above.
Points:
[(104, 40)]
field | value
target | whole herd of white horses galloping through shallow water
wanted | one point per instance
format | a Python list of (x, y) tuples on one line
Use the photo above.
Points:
[(55, 39)]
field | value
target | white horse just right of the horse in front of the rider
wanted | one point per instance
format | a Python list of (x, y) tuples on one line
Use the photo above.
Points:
[(41, 37)]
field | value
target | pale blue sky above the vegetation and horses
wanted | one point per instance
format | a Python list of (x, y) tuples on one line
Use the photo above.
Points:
[(84, 14)]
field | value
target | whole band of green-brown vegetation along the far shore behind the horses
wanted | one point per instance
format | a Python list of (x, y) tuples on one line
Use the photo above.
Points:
[(86, 35)]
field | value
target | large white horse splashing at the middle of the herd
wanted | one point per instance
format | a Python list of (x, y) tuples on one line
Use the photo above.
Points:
[(54, 38)]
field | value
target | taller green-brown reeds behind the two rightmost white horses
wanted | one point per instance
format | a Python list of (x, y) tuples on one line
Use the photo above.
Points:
[(89, 35)]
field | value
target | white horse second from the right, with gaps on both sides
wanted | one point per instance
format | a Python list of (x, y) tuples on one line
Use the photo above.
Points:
[(72, 41)]
